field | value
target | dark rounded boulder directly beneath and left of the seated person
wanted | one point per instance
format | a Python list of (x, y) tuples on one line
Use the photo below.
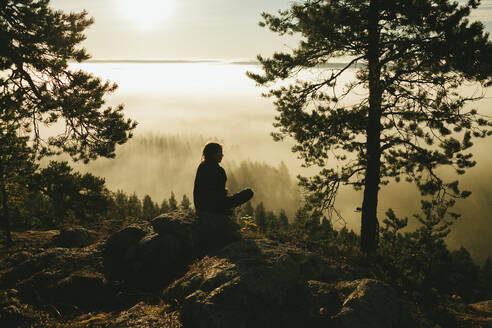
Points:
[(152, 255)]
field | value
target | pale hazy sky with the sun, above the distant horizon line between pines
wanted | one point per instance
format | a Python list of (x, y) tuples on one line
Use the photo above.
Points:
[(188, 29)]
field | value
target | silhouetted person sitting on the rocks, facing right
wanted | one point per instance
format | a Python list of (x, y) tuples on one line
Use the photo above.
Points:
[(209, 192)]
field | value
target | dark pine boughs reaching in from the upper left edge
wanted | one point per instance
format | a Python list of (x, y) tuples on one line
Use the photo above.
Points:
[(37, 89)]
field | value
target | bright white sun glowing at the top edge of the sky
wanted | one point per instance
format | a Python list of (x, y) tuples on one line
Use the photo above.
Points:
[(147, 14)]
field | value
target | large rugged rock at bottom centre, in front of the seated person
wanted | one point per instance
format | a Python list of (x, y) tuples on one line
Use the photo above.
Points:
[(265, 284)]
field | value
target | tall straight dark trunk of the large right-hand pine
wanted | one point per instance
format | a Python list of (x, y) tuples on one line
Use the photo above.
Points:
[(369, 221)]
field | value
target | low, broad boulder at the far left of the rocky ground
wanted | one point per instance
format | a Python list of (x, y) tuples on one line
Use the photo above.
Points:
[(71, 279)]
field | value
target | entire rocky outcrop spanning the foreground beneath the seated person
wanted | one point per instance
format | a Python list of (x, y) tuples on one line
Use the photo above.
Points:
[(181, 270)]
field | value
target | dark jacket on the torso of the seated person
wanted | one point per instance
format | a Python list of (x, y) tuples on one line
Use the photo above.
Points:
[(209, 193)]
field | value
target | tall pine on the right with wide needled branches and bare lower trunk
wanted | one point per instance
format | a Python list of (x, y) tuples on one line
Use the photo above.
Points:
[(410, 58)]
